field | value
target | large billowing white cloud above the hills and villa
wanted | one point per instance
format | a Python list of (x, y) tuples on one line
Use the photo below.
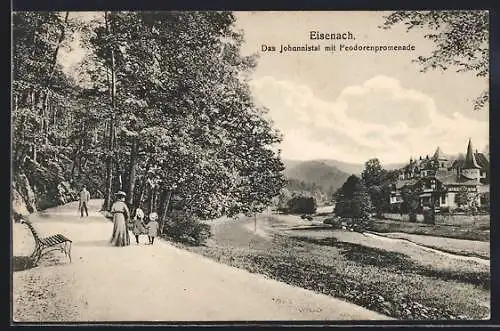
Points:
[(377, 118)]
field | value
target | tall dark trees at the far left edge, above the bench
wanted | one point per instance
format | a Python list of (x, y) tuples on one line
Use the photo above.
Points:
[(42, 95)]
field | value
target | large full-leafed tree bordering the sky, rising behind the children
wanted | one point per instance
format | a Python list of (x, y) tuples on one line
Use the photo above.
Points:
[(185, 107)]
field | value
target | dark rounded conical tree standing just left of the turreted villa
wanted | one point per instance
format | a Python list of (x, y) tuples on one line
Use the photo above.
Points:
[(353, 201)]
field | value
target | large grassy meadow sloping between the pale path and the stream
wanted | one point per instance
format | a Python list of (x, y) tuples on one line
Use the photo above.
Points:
[(385, 281)]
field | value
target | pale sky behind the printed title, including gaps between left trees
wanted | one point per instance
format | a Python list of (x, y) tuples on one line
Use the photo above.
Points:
[(353, 106)]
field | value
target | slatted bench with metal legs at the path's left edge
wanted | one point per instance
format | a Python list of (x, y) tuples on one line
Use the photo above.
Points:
[(48, 244)]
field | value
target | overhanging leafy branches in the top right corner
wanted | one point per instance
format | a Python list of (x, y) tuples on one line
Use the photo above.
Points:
[(461, 38)]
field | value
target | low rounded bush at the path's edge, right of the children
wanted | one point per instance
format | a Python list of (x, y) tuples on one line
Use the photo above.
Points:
[(185, 228)]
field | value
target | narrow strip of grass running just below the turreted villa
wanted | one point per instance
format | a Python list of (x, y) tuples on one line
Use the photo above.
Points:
[(438, 230)]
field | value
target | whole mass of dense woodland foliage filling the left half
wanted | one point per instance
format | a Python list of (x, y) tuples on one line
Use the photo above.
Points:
[(160, 107)]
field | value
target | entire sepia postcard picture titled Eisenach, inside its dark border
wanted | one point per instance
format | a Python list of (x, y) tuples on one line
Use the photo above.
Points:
[(246, 166)]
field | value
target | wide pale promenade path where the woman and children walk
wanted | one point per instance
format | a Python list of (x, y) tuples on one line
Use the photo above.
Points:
[(150, 283)]
